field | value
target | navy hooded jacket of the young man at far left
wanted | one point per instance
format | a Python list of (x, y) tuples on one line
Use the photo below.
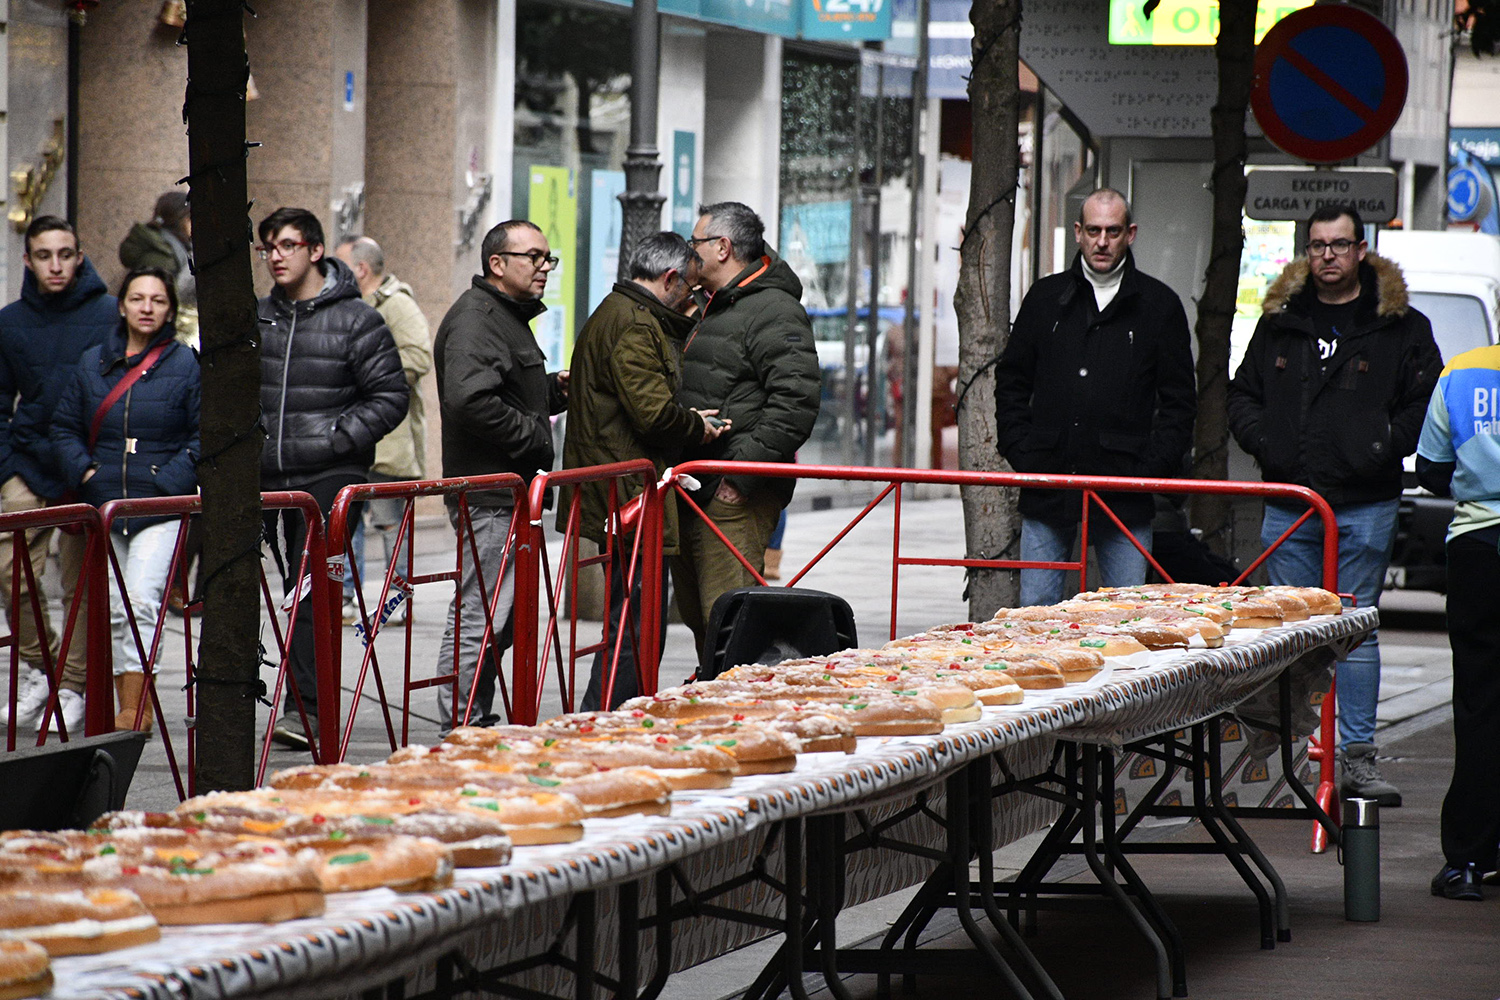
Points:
[(41, 341)]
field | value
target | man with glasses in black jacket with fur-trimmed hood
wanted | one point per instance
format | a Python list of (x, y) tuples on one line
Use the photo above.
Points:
[(1331, 395)]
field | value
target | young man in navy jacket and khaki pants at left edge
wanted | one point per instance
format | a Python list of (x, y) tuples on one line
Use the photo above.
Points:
[(64, 311)]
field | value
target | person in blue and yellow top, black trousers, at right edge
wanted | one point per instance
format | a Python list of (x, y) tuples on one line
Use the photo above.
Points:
[(1460, 455)]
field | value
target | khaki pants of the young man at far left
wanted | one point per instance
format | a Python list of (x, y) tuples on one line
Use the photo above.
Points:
[(17, 496)]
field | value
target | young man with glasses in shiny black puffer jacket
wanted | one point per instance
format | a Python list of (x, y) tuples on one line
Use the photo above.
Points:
[(332, 386)]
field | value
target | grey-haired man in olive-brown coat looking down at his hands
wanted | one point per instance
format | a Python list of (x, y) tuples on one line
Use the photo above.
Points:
[(626, 373)]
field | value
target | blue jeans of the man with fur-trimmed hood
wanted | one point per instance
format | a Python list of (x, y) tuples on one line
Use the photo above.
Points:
[(1366, 537)]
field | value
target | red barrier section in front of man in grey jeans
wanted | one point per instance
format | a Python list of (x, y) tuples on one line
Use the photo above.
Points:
[(518, 548)]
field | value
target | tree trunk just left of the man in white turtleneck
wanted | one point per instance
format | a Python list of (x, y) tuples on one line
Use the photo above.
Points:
[(983, 299)]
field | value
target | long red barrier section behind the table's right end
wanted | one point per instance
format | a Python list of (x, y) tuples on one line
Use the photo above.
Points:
[(1091, 487)]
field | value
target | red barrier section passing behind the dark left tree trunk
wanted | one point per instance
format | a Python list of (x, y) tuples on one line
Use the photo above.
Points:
[(182, 509)]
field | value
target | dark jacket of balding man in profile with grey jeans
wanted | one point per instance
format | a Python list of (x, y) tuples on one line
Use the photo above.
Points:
[(494, 391)]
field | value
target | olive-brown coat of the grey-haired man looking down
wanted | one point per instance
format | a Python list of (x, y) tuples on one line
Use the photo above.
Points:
[(626, 373)]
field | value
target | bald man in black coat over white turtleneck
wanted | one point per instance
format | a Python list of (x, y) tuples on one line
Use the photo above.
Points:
[(1096, 380)]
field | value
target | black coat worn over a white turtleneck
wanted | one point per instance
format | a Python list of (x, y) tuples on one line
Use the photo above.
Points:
[(1096, 394)]
